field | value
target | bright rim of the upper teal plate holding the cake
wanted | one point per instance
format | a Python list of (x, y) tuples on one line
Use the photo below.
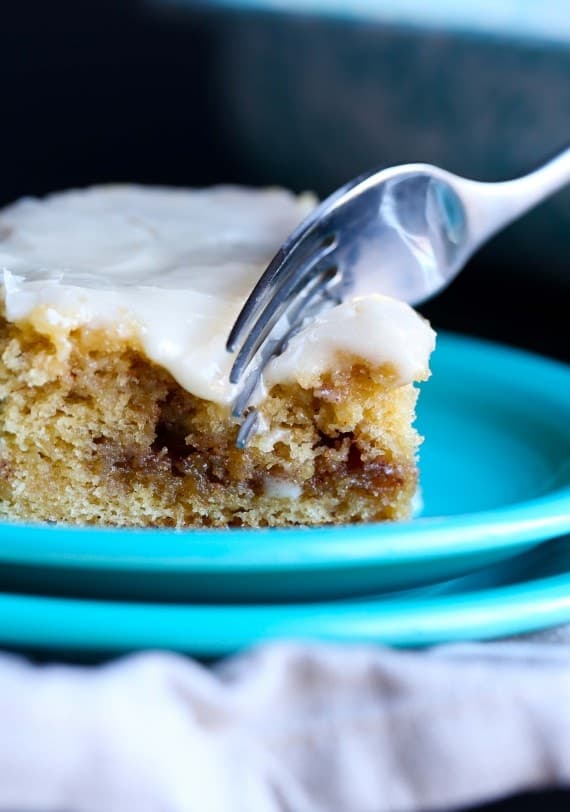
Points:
[(301, 548)]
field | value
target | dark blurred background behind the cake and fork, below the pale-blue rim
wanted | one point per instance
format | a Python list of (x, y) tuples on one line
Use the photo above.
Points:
[(185, 93)]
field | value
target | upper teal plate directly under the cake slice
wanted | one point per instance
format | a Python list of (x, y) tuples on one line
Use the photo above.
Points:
[(495, 478)]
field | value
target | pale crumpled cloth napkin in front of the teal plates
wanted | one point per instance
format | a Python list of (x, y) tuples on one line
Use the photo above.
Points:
[(288, 728)]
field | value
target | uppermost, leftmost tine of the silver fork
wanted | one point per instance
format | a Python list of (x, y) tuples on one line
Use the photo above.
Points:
[(305, 235)]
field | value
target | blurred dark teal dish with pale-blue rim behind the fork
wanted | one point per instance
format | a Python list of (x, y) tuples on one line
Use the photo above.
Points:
[(310, 93)]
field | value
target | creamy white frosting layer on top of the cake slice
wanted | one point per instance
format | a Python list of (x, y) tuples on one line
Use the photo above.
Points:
[(173, 267)]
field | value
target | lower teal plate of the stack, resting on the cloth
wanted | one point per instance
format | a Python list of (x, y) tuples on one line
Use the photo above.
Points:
[(529, 592)]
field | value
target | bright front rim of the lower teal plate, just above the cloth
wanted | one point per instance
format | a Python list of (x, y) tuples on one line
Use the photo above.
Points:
[(510, 610)]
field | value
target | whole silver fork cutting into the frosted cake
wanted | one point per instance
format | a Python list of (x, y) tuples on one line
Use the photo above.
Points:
[(405, 231)]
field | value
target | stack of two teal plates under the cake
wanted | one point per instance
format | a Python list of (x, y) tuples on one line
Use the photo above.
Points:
[(488, 556)]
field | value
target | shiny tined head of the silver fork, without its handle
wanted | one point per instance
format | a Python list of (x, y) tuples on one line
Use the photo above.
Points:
[(407, 219)]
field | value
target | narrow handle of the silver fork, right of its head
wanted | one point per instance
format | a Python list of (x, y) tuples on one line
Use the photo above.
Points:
[(495, 205)]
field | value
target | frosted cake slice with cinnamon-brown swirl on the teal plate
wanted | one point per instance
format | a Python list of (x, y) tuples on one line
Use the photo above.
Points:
[(116, 303)]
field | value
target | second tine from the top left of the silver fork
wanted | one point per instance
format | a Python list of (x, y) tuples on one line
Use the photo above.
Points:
[(270, 315)]
